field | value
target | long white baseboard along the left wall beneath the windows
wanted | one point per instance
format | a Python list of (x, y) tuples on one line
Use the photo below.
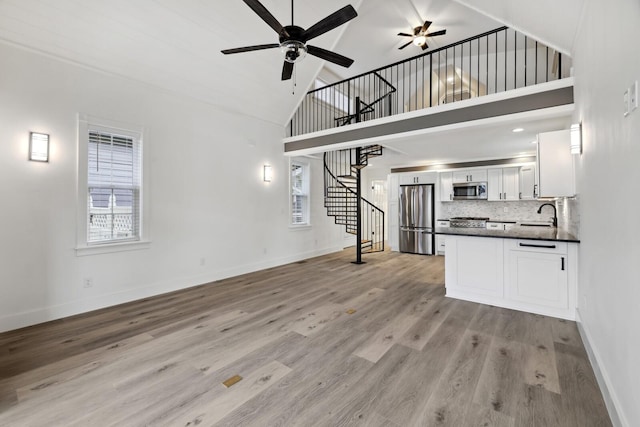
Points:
[(46, 314)]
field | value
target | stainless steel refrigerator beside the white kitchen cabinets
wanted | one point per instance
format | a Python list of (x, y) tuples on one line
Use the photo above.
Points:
[(416, 219)]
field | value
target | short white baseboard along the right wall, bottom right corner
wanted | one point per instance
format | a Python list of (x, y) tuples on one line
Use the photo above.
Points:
[(604, 382)]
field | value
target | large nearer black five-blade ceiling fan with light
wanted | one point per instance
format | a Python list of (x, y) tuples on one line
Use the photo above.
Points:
[(293, 39)]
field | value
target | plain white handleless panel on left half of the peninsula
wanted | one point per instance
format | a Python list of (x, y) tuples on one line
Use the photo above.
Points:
[(474, 266)]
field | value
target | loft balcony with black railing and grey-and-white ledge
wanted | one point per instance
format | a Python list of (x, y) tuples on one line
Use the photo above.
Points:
[(499, 72)]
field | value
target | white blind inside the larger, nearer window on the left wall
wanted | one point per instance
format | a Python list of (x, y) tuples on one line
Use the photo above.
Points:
[(114, 181)]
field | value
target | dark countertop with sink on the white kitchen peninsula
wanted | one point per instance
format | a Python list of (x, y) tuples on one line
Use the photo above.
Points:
[(515, 232)]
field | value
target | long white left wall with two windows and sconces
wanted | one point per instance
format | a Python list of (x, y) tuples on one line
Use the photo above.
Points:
[(207, 200)]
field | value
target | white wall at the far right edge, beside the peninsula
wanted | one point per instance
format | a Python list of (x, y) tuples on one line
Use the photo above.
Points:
[(607, 171)]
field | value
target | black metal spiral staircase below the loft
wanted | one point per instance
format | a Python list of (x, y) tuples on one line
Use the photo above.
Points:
[(344, 202)]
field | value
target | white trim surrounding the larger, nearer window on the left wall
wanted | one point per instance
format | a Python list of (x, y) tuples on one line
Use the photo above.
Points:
[(83, 247)]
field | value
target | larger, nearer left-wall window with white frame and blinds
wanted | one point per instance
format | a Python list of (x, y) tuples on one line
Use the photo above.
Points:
[(110, 187)]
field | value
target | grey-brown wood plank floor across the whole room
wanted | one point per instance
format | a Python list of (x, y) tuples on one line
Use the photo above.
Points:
[(321, 342)]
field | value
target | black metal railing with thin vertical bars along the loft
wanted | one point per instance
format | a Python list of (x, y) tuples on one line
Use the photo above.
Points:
[(496, 61)]
